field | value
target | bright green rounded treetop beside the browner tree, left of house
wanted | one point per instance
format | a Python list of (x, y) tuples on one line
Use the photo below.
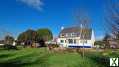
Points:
[(44, 34)]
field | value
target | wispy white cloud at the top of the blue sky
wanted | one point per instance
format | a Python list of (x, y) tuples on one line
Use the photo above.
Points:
[(37, 4)]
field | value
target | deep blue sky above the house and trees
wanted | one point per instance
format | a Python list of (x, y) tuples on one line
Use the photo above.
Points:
[(16, 16)]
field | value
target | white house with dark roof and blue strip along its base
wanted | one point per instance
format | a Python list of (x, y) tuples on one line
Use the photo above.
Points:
[(74, 37)]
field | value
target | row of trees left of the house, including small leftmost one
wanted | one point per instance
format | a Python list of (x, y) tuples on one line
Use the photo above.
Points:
[(29, 38)]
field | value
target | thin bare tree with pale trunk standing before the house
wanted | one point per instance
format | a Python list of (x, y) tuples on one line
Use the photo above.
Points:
[(83, 21)]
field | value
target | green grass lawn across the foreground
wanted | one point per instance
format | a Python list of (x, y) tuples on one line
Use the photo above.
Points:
[(40, 57)]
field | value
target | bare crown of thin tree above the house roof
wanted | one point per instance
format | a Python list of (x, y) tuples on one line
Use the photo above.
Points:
[(82, 18)]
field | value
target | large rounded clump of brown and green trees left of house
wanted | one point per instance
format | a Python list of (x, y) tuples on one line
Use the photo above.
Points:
[(35, 36)]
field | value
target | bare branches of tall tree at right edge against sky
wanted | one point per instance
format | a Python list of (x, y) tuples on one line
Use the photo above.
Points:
[(112, 17)]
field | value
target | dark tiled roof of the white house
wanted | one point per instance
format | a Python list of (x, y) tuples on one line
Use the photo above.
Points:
[(85, 32)]
